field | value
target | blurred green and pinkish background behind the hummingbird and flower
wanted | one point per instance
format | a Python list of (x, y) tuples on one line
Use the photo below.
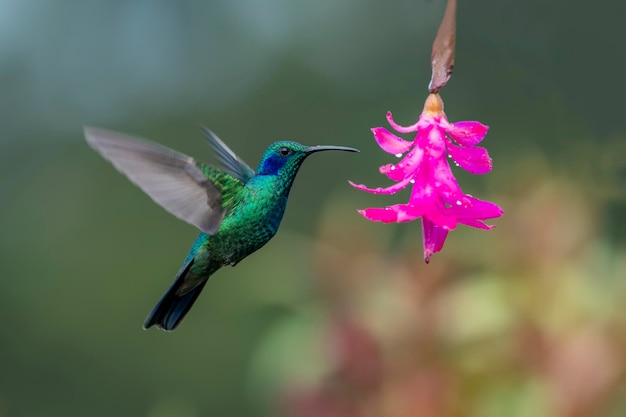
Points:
[(335, 317)]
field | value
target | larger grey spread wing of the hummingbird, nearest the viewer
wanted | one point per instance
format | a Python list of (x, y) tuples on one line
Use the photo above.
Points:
[(170, 178)]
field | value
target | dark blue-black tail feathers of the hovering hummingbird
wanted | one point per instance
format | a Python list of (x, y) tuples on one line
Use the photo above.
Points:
[(172, 308)]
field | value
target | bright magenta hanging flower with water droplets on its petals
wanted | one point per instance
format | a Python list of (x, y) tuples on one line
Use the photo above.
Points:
[(436, 196)]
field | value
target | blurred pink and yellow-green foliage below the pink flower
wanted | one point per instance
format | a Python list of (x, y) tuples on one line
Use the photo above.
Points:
[(536, 336)]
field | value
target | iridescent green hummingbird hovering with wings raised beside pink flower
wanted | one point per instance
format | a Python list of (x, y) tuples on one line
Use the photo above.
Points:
[(236, 209)]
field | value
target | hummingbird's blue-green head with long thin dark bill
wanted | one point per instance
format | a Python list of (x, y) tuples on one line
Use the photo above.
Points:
[(285, 158)]
